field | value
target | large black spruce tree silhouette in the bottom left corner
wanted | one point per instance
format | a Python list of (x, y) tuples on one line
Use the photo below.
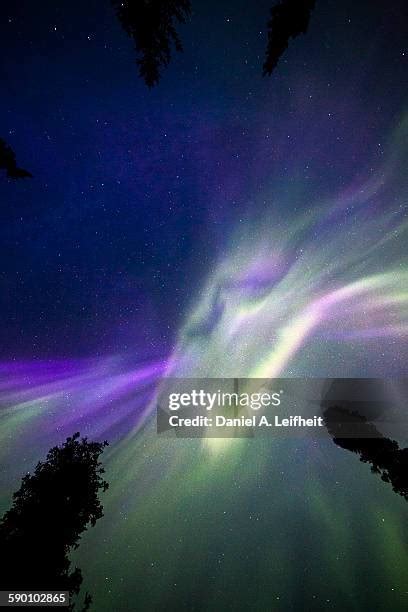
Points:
[(50, 511)]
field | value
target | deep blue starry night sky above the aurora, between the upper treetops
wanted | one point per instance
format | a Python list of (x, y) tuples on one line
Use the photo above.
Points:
[(135, 191)]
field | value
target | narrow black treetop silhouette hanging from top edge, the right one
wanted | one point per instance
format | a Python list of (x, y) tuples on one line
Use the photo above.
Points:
[(288, 19)]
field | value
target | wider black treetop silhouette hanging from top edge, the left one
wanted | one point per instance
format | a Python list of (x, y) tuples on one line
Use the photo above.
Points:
[(151, 25)]
